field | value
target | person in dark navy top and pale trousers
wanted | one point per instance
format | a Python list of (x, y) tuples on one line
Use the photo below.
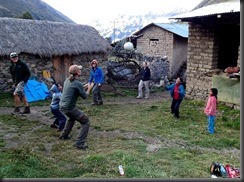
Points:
[(144, 81)]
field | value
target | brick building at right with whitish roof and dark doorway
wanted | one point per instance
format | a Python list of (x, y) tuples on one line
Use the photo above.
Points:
[(213, 45)]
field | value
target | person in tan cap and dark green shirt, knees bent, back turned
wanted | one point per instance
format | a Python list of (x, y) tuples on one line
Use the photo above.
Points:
[(72, 90)]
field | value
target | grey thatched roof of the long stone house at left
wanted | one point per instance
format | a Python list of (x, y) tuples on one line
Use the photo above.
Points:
[(45, 38)]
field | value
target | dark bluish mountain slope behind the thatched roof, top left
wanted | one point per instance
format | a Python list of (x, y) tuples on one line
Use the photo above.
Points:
[(37, 8)]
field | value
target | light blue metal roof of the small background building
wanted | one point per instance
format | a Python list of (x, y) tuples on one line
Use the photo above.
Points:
[(176, 28)]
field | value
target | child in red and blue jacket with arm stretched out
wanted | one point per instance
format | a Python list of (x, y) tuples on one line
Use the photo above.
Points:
[(177, 92)]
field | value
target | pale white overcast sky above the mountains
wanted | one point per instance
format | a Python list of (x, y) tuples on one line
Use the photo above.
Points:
[(83, 11)]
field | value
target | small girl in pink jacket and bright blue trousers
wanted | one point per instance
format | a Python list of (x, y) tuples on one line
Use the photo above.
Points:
[(211, 108)]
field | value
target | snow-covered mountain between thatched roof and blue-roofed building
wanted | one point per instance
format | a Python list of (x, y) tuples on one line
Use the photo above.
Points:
[(124, 25)]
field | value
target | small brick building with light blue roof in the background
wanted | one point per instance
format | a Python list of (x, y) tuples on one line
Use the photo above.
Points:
[(166, 40)]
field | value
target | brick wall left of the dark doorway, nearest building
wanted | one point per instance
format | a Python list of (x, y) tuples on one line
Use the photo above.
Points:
[(202, 57)]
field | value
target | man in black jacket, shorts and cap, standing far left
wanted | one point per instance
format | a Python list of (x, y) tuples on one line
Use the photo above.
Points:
[(20, 75)]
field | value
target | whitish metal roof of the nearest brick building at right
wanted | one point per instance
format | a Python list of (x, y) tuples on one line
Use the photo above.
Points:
[(220, 8)]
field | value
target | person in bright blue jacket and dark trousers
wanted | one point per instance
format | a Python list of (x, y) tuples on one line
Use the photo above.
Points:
[(97, 77)]
